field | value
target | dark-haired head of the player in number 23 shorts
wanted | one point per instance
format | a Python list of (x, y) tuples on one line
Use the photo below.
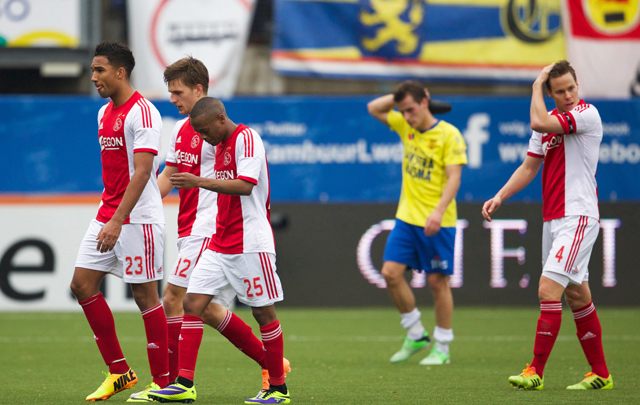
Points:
[(112, 65)]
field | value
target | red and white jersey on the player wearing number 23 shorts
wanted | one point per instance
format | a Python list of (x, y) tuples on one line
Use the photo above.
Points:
[(135, 126)]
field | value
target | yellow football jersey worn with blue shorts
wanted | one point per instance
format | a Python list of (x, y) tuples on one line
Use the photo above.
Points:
[(423, 168)]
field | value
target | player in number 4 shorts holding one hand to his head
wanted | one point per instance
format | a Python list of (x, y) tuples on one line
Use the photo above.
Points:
[(567, 140)]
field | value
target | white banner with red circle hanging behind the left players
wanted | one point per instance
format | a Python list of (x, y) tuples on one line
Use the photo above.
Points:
[(163, 31)]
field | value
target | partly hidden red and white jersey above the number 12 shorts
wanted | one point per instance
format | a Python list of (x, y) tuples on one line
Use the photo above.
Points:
[(190, 154)]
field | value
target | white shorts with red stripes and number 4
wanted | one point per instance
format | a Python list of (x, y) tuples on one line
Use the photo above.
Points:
[(567, 243)]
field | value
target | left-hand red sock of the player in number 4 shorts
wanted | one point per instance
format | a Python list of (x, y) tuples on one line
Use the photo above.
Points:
[(546, 333)]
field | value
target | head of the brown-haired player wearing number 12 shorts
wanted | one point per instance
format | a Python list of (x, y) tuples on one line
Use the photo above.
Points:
[(187, 81)]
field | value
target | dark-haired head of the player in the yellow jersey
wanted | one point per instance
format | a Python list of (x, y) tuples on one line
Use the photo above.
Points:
[(412, 100)]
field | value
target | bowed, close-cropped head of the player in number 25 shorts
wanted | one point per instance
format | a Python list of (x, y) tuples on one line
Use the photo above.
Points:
[(209, 119)]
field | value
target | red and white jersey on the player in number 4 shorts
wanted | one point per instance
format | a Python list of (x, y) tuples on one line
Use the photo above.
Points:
[(570, 162)]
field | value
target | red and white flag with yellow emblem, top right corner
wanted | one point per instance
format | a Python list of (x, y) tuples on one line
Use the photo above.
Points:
[(603, 45)]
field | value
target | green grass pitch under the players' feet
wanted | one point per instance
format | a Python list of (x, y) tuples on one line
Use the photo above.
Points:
[(338, 356)]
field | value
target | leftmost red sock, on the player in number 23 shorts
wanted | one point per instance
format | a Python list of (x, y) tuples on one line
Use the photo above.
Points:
[(101, 321)]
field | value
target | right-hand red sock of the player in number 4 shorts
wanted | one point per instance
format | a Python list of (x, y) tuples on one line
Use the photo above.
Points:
[(589, 332)]
